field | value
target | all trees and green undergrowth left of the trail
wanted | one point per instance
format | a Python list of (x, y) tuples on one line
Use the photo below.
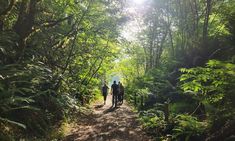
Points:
[(53, 57)]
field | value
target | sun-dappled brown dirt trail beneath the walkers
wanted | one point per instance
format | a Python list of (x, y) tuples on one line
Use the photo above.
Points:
[(108, 124)]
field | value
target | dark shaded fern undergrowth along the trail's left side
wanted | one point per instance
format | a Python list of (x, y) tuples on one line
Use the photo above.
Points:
[(28, 102)]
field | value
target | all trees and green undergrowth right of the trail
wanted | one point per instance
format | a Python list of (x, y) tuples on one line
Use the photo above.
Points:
[(187, 51)]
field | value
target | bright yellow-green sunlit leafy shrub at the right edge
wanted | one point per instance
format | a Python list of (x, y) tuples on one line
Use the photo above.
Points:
[(210, 83)]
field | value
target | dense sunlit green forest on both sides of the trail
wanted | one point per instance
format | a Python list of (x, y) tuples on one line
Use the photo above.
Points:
[(178, 68)]
